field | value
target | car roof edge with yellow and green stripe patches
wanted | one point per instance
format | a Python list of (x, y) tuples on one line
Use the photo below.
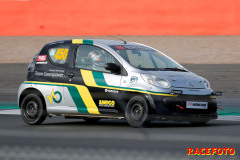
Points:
[(89, 41)]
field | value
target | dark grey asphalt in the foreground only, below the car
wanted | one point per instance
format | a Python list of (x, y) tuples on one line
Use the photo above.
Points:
[(60, 138)]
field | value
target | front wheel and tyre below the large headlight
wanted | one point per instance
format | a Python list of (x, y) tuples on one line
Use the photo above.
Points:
[(136, 112)]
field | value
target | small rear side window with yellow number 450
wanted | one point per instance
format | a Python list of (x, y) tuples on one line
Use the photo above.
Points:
[(59, 54)]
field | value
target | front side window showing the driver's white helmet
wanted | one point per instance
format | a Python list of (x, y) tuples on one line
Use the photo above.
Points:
[(93, 58)]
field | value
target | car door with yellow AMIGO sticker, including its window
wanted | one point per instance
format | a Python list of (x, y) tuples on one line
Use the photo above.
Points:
[(93, 88)]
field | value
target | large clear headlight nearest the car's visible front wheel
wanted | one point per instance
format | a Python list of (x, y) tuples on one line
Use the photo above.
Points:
[(155, 80)]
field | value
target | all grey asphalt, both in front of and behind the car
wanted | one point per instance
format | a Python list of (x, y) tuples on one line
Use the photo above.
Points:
[(59, 138)]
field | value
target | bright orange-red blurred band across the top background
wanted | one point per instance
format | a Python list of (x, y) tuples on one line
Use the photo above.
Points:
[(124, 17)]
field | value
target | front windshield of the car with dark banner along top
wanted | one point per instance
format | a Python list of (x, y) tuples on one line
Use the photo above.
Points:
[(146, 58)]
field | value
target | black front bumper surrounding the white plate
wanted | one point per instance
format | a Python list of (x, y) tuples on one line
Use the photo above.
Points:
[(175, 107)]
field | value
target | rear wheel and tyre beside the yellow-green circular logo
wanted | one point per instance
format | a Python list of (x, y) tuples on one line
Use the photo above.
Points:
[(33, 110)]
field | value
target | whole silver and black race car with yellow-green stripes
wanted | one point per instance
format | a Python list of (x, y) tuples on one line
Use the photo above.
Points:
[(98, 79)]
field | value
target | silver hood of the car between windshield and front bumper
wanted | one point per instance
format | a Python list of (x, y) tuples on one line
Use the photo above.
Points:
[(180, 79)]
